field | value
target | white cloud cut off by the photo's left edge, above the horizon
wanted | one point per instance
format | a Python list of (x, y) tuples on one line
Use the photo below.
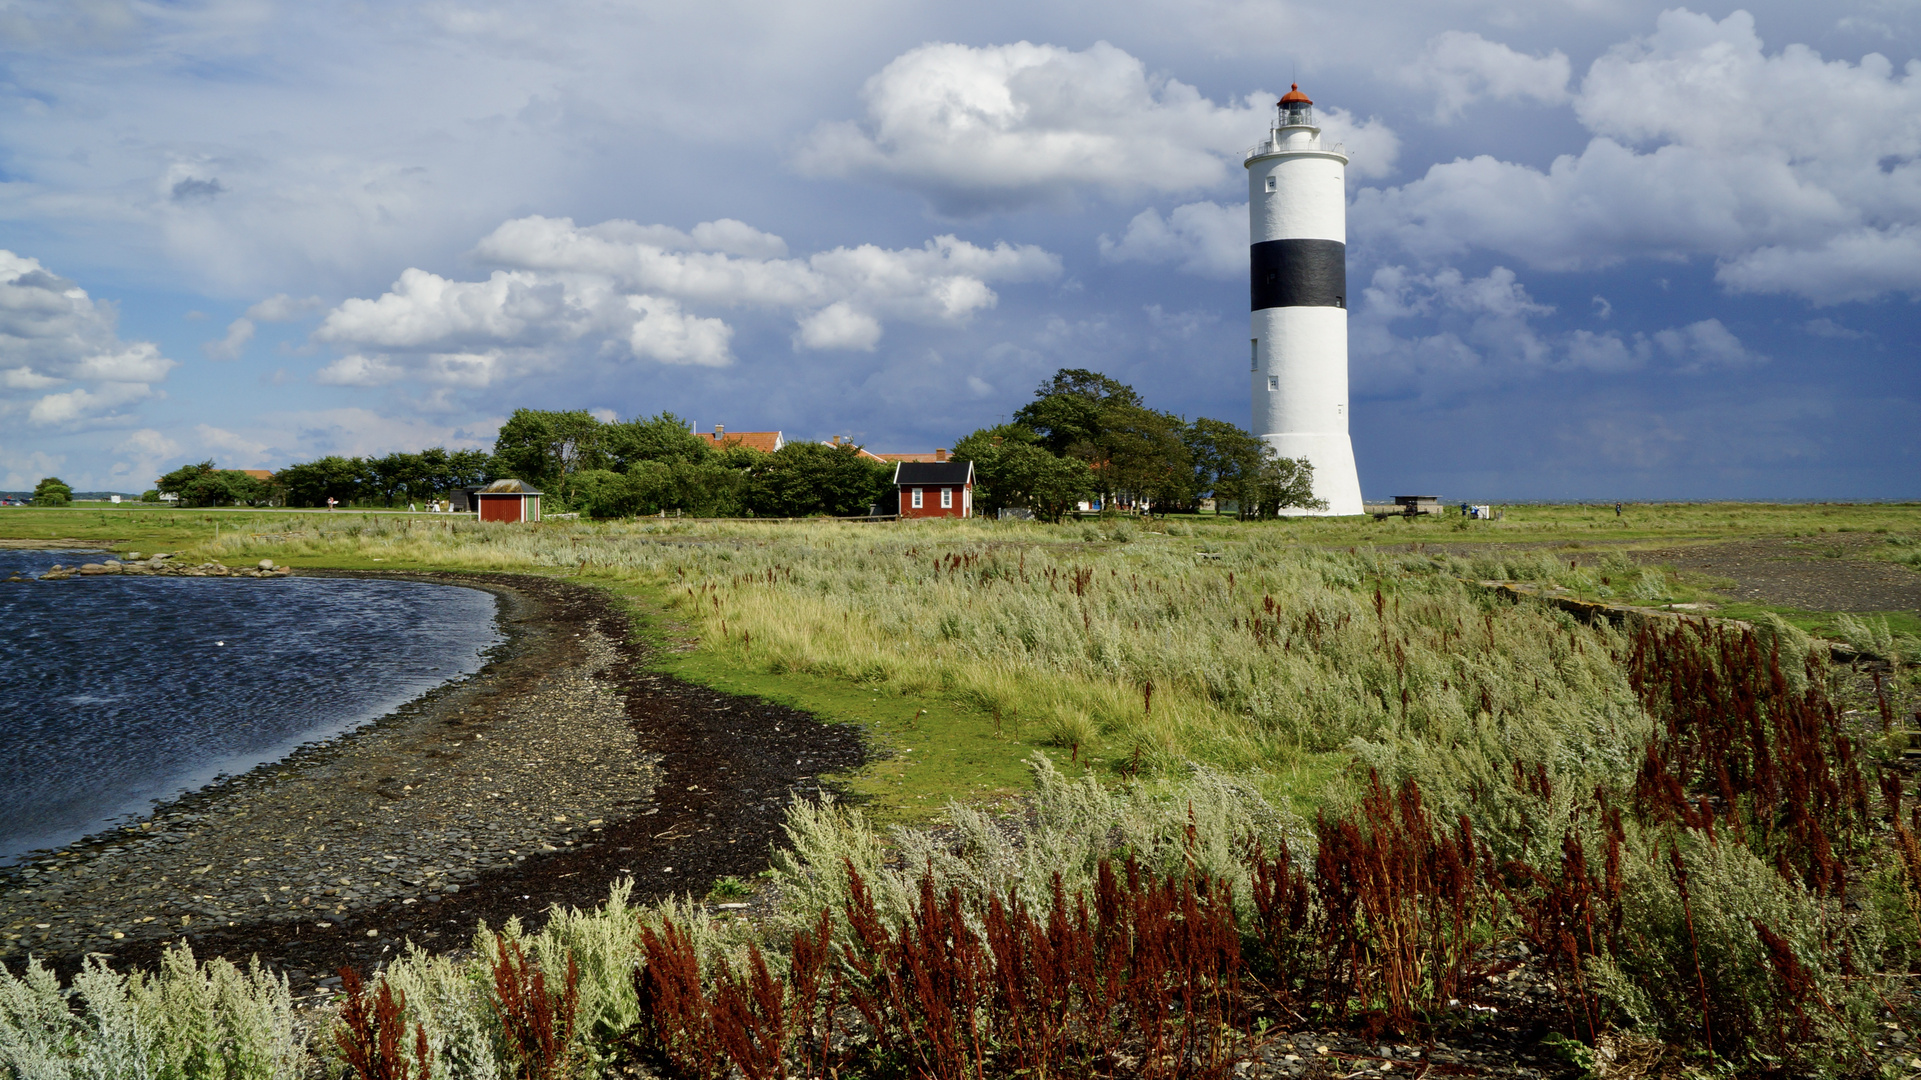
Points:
[(55, 335)]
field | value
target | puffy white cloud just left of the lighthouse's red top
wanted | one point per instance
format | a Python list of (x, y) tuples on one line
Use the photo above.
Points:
[(1011, 126)]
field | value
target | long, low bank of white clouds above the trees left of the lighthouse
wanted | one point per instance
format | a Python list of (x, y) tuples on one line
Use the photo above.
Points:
[(644, 287)]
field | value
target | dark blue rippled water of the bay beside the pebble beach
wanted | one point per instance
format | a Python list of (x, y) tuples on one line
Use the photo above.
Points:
[(118, 693)]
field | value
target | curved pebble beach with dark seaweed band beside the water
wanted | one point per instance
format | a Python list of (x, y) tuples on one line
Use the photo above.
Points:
[(493, 797)]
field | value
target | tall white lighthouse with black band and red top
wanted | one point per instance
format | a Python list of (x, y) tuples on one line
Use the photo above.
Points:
[(1298, 233)]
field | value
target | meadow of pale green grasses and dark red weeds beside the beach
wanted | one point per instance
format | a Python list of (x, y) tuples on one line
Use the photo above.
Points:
[(1275, 773)]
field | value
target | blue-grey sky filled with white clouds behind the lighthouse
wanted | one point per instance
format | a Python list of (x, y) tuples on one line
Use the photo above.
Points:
[(1599, 251)]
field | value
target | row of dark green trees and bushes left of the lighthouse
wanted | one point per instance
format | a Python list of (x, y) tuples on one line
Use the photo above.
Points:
[(1082, 437)]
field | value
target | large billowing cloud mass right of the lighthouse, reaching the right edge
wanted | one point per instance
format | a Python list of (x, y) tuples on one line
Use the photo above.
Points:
[(1691, 157)]
